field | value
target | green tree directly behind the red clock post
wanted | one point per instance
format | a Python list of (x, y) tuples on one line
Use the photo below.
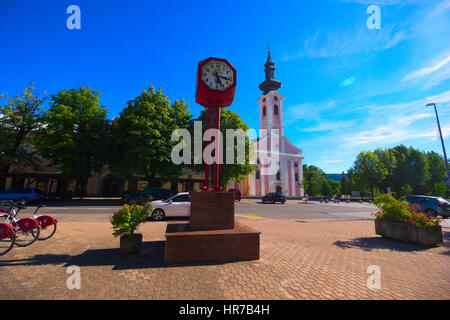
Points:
[(236, 171)]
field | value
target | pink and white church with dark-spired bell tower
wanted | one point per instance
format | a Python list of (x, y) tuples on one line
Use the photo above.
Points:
[(286, 174)]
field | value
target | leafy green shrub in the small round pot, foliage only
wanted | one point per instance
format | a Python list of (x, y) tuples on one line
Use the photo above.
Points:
[(127, 220)]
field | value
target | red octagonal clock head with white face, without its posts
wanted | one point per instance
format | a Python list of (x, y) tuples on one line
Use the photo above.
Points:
[(216, 83)]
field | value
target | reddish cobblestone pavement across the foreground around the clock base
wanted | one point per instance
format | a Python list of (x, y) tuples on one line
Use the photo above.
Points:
[(300, 259)]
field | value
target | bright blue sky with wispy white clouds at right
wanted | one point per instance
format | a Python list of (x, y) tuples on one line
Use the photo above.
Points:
[(347, 88)]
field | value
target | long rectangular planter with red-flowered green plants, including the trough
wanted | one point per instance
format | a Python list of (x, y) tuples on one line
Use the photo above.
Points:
[(400, 221)]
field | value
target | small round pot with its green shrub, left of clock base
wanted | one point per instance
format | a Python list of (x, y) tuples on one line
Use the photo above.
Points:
[(125, 222)]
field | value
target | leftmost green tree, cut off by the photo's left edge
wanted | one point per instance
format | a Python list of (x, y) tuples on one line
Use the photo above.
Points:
[(18, 120)]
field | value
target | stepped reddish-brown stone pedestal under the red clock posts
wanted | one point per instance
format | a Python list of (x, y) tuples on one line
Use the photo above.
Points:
[(212, 234)]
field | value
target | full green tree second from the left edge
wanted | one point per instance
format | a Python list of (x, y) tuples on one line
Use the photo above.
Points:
[(73, 134)]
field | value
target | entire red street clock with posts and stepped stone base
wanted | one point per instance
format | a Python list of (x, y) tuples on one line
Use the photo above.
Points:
[(212, 234)]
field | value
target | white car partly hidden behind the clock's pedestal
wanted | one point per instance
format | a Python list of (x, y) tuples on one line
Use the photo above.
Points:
[(176, 206)]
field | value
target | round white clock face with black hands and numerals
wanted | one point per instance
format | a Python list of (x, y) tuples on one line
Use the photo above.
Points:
[(217, 75)]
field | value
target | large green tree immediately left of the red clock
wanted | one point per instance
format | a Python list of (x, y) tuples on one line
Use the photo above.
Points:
[(140, 139)]
